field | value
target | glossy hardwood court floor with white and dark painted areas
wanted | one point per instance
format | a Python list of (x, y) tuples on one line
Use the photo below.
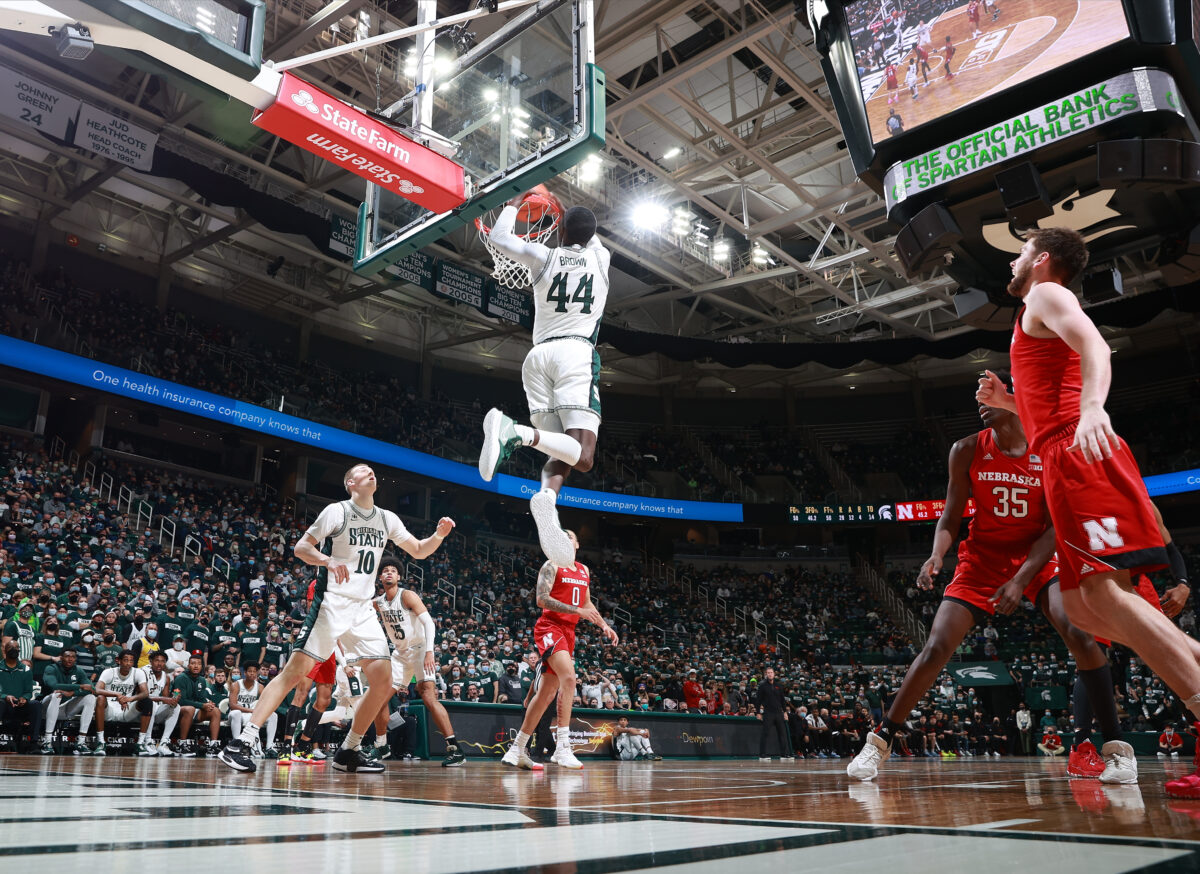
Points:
[(976, 816)]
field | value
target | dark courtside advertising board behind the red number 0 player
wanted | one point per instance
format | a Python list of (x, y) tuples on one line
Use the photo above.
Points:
[(485, 731)]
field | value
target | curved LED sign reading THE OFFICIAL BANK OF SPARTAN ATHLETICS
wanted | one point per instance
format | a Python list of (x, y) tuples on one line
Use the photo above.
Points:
[(1139, 92)]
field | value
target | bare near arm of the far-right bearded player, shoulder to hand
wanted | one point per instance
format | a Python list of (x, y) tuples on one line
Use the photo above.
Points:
[(1054, 307)]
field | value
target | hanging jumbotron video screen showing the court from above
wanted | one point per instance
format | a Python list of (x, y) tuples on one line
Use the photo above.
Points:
[(921, 61)]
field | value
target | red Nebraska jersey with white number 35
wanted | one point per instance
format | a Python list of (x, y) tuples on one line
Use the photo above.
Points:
[(1010, 501)]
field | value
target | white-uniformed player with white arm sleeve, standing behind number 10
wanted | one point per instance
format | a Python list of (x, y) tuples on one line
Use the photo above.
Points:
[(412, 632)]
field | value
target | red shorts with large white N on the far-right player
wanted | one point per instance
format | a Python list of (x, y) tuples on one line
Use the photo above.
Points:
[(1102, 516)]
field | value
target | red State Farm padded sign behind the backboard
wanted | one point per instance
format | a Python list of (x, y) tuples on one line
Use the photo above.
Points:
[(338, 133)]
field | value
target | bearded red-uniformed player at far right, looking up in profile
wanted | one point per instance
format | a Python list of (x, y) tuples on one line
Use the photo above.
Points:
[(1105, 523)]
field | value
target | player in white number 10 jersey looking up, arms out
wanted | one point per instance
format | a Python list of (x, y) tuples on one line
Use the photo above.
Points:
[(345, 544)]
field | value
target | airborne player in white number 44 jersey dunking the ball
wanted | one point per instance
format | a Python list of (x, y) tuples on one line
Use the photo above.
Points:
[(562, 372)]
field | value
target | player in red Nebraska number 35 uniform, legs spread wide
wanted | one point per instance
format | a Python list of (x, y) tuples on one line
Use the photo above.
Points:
[(1007, 553)]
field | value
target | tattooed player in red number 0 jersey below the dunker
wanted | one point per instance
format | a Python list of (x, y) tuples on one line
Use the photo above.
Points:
[(565, 596)]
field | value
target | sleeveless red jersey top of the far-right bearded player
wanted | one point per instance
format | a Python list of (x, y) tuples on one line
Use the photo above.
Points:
[(1047, 382)]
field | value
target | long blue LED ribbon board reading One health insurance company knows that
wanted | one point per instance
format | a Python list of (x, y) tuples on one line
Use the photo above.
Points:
[(183, 399)]
